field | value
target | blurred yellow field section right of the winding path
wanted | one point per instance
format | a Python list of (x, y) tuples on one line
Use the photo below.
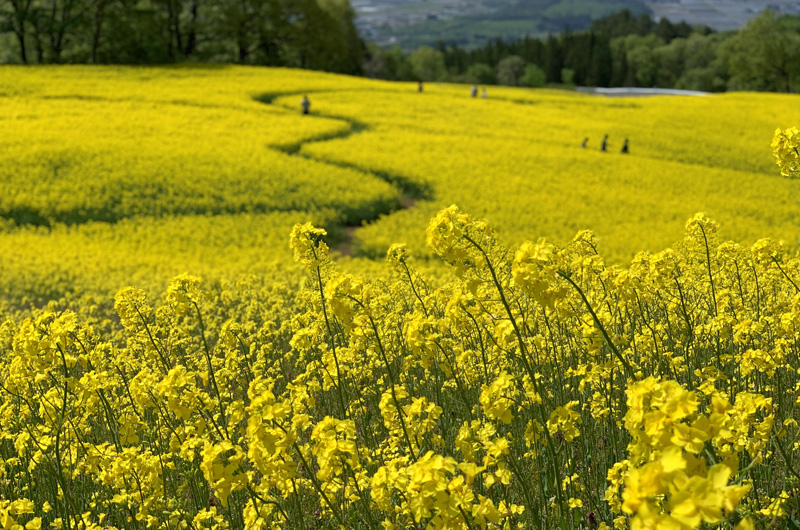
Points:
[(516, 157)]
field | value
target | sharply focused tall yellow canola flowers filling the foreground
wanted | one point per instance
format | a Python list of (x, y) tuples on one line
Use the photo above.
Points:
[(537, 388)]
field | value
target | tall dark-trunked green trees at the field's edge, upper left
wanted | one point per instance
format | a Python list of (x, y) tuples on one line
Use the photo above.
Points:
[(315, 34)]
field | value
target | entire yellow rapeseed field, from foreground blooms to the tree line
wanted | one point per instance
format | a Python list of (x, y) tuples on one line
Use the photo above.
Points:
[(642, 376)]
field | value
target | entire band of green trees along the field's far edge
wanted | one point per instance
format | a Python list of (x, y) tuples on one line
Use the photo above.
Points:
[(619, 50)]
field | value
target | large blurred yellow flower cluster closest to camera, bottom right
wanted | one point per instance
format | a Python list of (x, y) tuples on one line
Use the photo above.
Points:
[(669, 481)]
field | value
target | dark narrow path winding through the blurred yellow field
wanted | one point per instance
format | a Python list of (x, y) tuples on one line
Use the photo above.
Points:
[(343, 236)]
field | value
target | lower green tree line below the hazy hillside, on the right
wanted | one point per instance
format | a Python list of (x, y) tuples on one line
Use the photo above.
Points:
[(618, 50)]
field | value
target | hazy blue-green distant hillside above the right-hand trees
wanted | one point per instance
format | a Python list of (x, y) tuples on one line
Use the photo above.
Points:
[(412, 23)]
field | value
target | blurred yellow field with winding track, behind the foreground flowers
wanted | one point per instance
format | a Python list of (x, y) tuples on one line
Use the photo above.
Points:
[(120, 175)]
